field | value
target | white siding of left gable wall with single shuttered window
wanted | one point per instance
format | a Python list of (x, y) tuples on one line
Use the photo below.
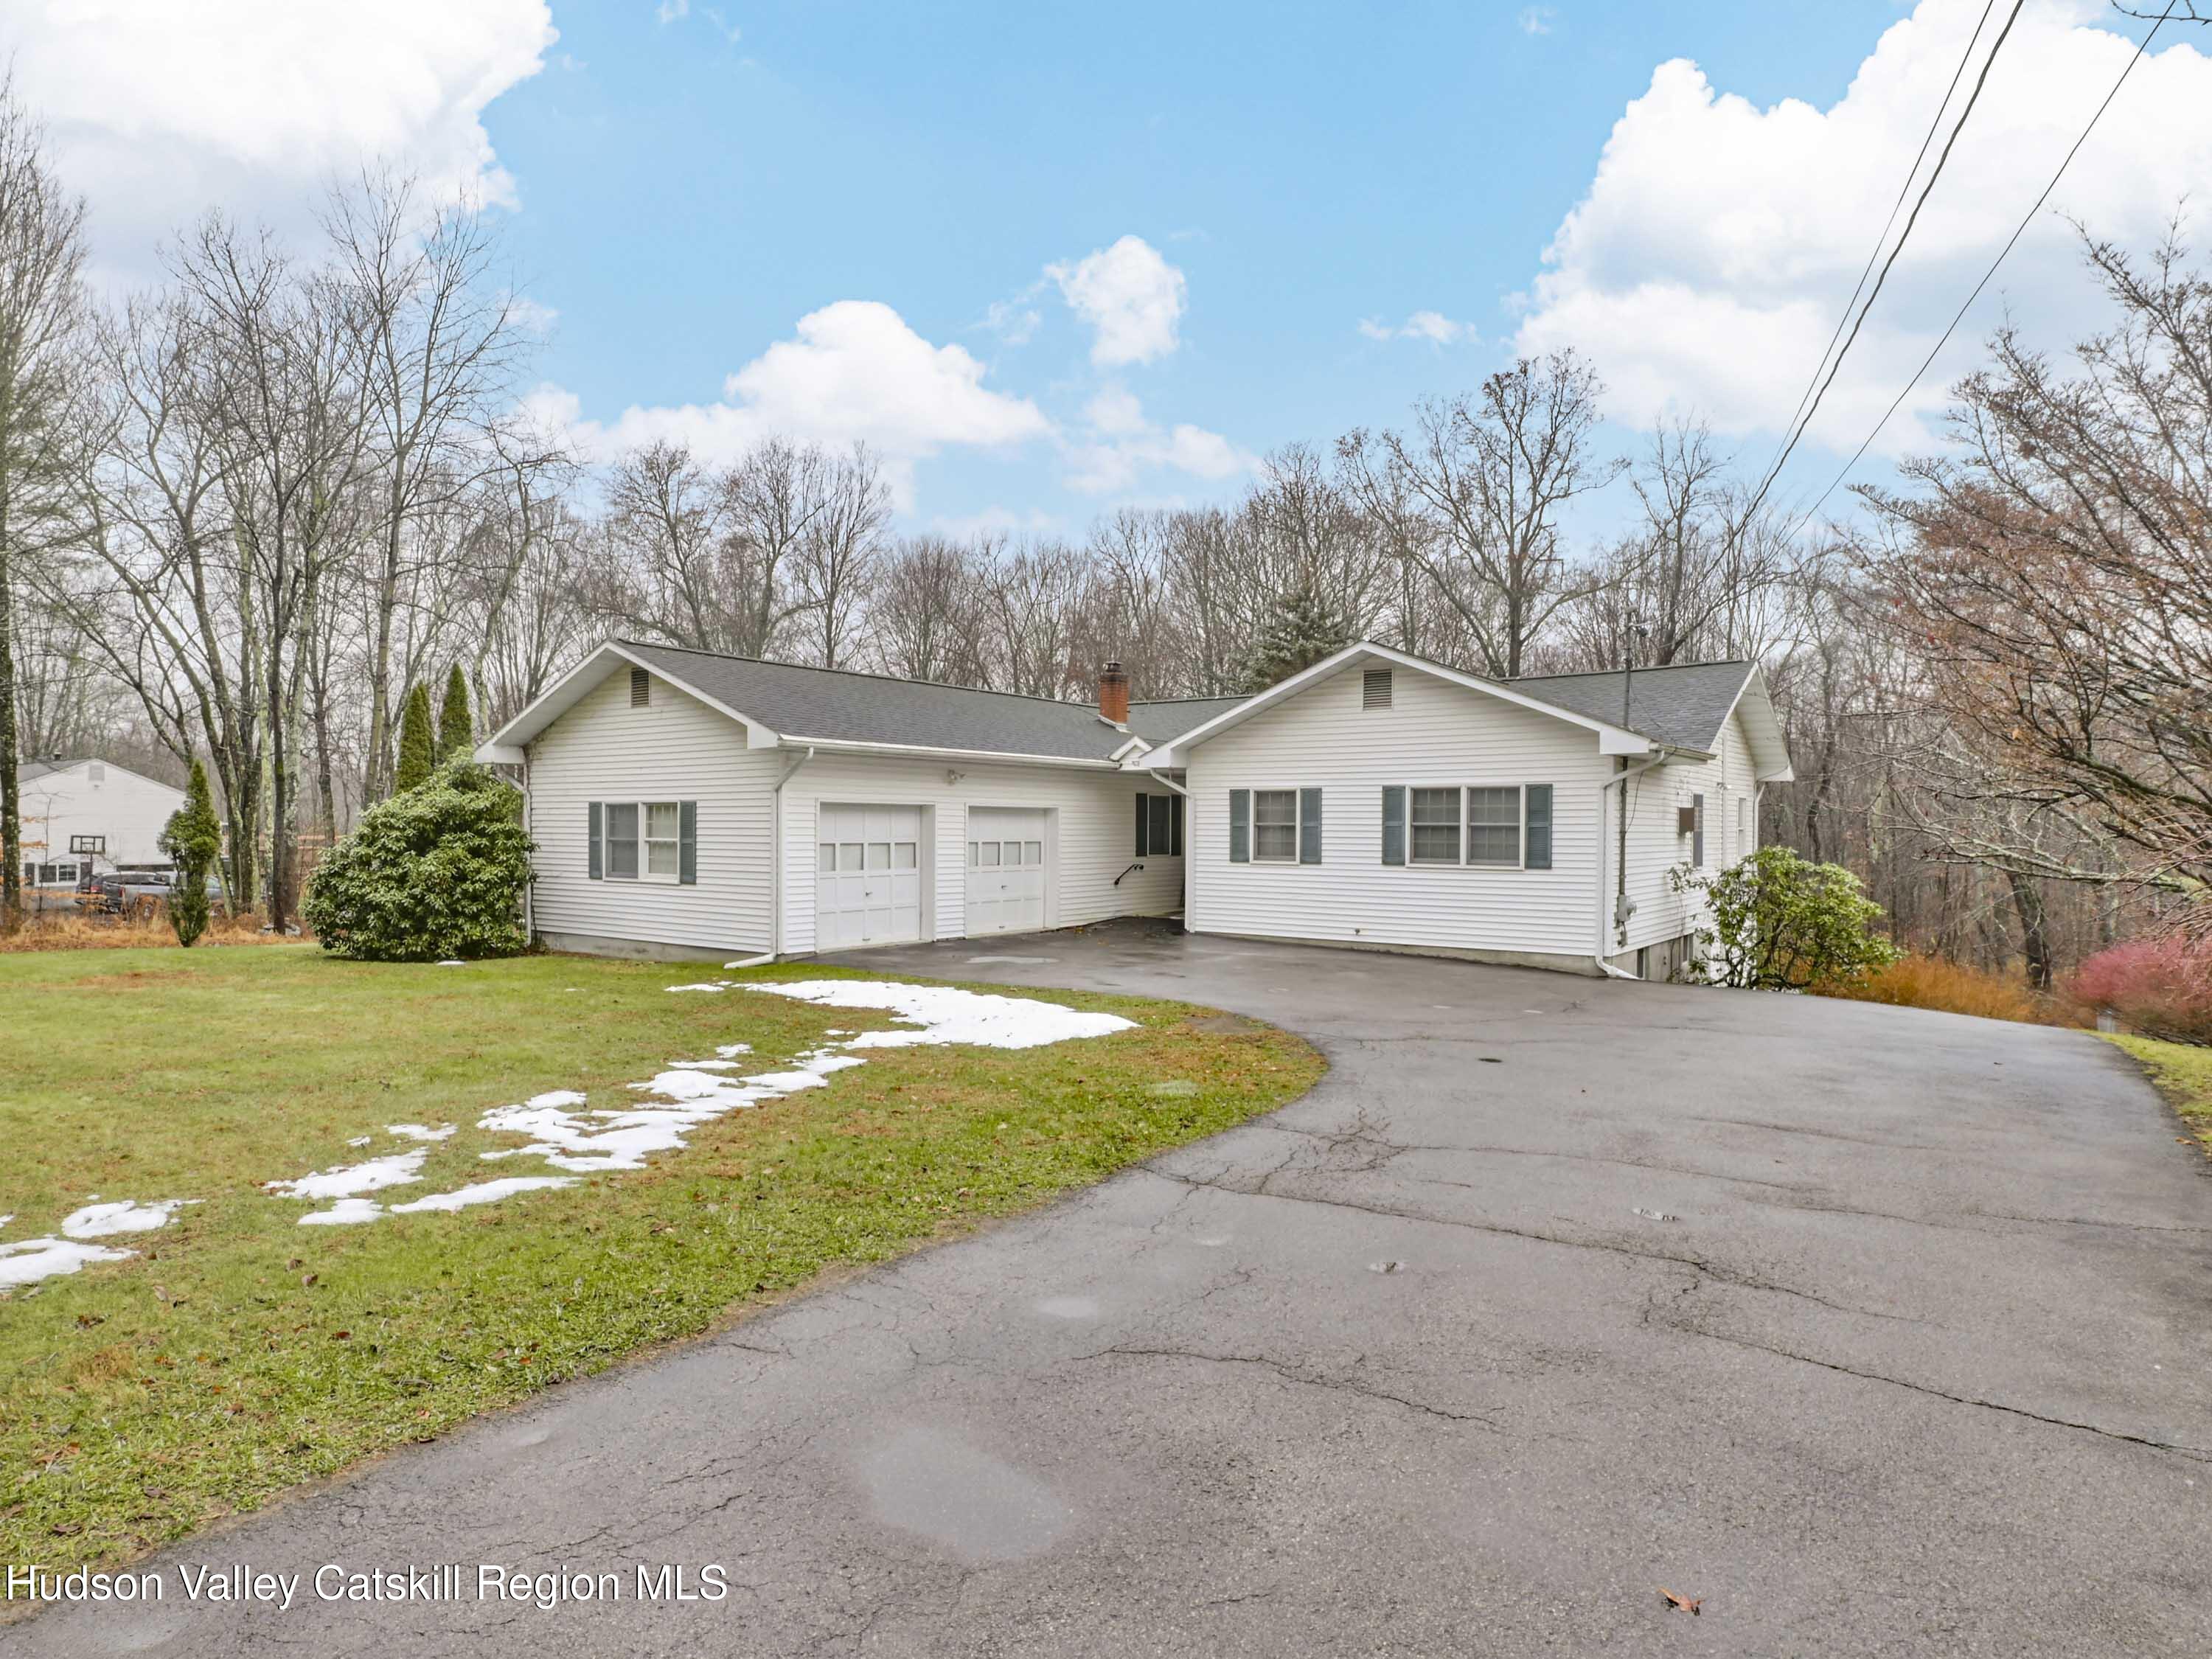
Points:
[(674, 749)]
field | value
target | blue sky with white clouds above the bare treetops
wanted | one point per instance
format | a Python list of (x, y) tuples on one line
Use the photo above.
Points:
[(1054, 260)]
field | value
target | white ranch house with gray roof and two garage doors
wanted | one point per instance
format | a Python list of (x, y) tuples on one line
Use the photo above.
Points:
[(689, 804)]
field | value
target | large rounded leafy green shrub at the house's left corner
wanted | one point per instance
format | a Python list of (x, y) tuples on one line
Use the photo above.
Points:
[(432, 875)]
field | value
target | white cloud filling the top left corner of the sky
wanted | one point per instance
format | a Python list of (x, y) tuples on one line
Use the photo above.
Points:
[(160, 112)]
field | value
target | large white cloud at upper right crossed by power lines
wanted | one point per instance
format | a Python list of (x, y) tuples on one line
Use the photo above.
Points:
[(1720, 242)]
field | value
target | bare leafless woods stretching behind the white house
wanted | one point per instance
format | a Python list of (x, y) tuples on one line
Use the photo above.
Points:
[(249, 512)]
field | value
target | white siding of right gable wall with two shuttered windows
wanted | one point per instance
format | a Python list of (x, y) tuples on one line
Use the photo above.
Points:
[(1434, 738)]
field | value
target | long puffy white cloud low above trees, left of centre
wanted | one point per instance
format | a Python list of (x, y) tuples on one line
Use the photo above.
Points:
[(855, 373)]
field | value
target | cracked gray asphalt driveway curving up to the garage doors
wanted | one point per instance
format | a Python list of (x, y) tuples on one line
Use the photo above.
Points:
[(1881, 1333)]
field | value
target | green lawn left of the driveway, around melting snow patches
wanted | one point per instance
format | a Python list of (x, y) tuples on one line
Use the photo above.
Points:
[(242, 1353)]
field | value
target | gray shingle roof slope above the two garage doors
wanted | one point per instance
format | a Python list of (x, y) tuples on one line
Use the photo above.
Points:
[(846, 707)]
